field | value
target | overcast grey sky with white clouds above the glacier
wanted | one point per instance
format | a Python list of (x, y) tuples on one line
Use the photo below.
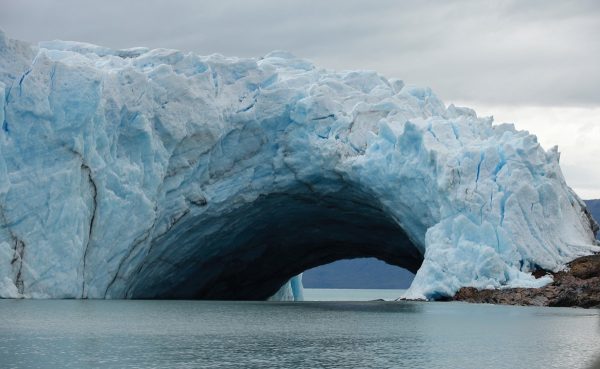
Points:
[(533, 63)]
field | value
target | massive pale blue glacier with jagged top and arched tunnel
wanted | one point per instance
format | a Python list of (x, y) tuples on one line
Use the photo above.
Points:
[(144, 173)]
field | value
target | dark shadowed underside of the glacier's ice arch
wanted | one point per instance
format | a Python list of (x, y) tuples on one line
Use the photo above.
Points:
[(250, 252)]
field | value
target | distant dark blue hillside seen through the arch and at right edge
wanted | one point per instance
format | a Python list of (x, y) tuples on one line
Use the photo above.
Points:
[(373, 273)]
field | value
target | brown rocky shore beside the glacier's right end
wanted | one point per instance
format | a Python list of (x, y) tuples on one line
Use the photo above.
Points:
[(577, 286)]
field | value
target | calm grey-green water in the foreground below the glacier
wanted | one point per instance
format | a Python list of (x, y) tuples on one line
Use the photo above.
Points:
[(211, 334)]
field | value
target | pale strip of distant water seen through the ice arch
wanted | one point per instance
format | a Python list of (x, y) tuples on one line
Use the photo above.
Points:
[(342, 294)]
